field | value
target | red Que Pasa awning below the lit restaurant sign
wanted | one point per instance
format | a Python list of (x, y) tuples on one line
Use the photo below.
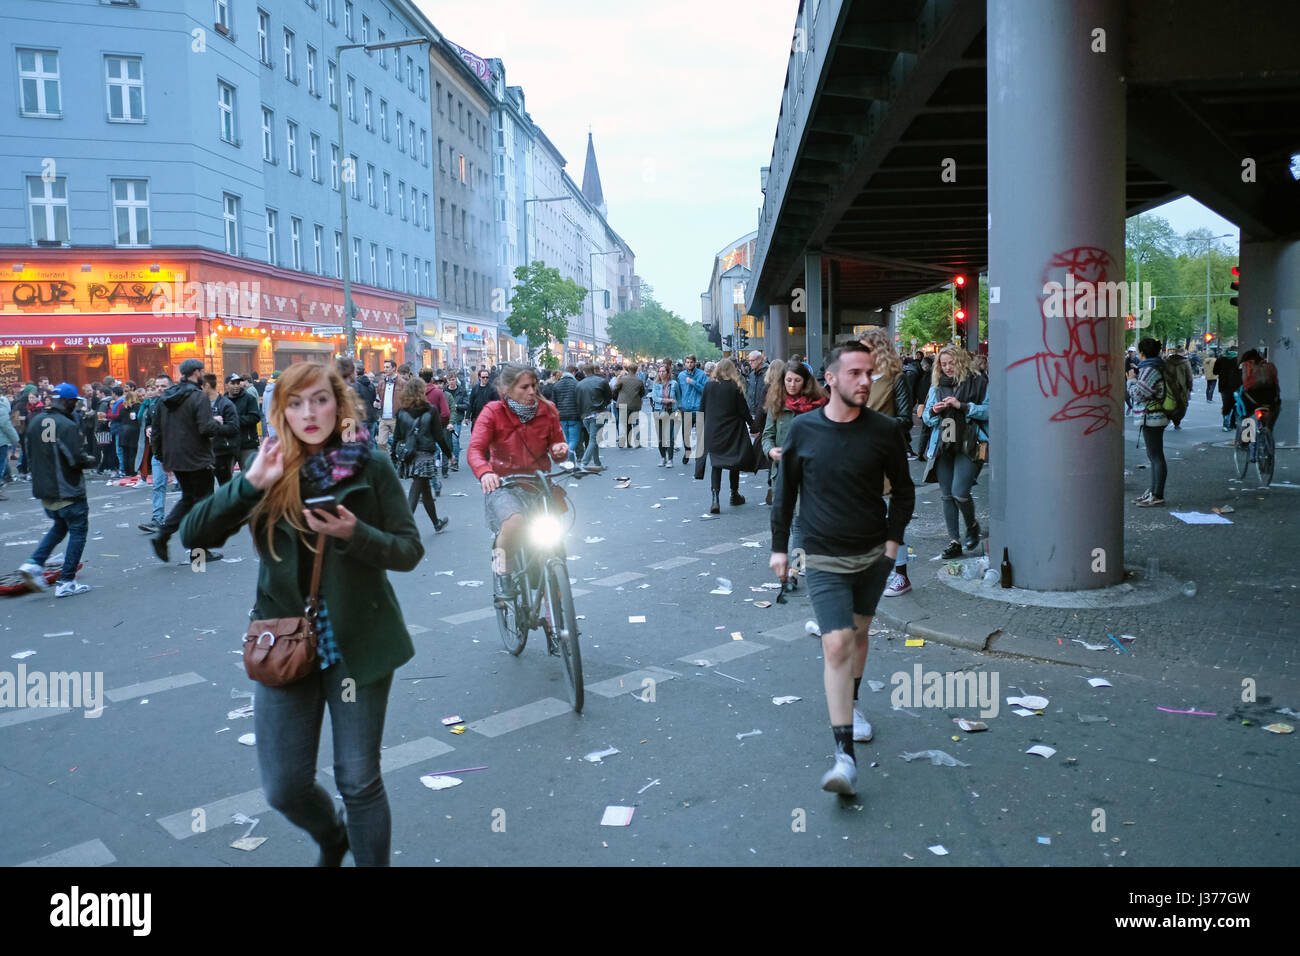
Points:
[(83, 330)]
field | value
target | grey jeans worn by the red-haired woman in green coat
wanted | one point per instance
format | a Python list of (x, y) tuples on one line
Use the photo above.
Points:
[(289, 729)]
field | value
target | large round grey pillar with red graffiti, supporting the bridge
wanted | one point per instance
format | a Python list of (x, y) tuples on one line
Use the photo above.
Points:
[(1056, 196)]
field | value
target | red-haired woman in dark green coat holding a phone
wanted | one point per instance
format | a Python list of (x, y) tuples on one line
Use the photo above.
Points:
[(362, 635)]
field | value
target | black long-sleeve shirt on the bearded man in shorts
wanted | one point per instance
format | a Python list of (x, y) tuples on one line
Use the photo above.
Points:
[(838, 470)]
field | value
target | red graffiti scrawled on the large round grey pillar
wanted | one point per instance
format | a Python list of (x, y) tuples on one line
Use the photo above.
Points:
[(1076, 360)]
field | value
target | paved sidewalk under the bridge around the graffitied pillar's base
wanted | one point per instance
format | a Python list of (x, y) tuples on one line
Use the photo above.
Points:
[(1243, 618)]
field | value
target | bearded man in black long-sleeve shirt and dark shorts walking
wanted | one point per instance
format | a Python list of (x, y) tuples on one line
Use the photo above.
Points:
[(835, 462)]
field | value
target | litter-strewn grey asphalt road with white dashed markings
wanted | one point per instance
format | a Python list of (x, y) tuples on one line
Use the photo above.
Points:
[(125, 788)]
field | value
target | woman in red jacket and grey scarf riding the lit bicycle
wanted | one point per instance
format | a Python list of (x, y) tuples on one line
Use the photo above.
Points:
[(515, 435)]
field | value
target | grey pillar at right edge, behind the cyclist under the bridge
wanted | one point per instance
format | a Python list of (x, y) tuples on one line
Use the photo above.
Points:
[(1269, 318)]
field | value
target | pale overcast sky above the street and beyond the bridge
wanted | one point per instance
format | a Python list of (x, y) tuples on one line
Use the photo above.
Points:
[(682, 100)]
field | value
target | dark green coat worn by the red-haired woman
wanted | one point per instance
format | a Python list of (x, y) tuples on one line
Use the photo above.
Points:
[(369, 626)]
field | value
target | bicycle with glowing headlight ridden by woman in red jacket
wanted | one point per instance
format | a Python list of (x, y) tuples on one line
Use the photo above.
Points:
[(544, 598)]
